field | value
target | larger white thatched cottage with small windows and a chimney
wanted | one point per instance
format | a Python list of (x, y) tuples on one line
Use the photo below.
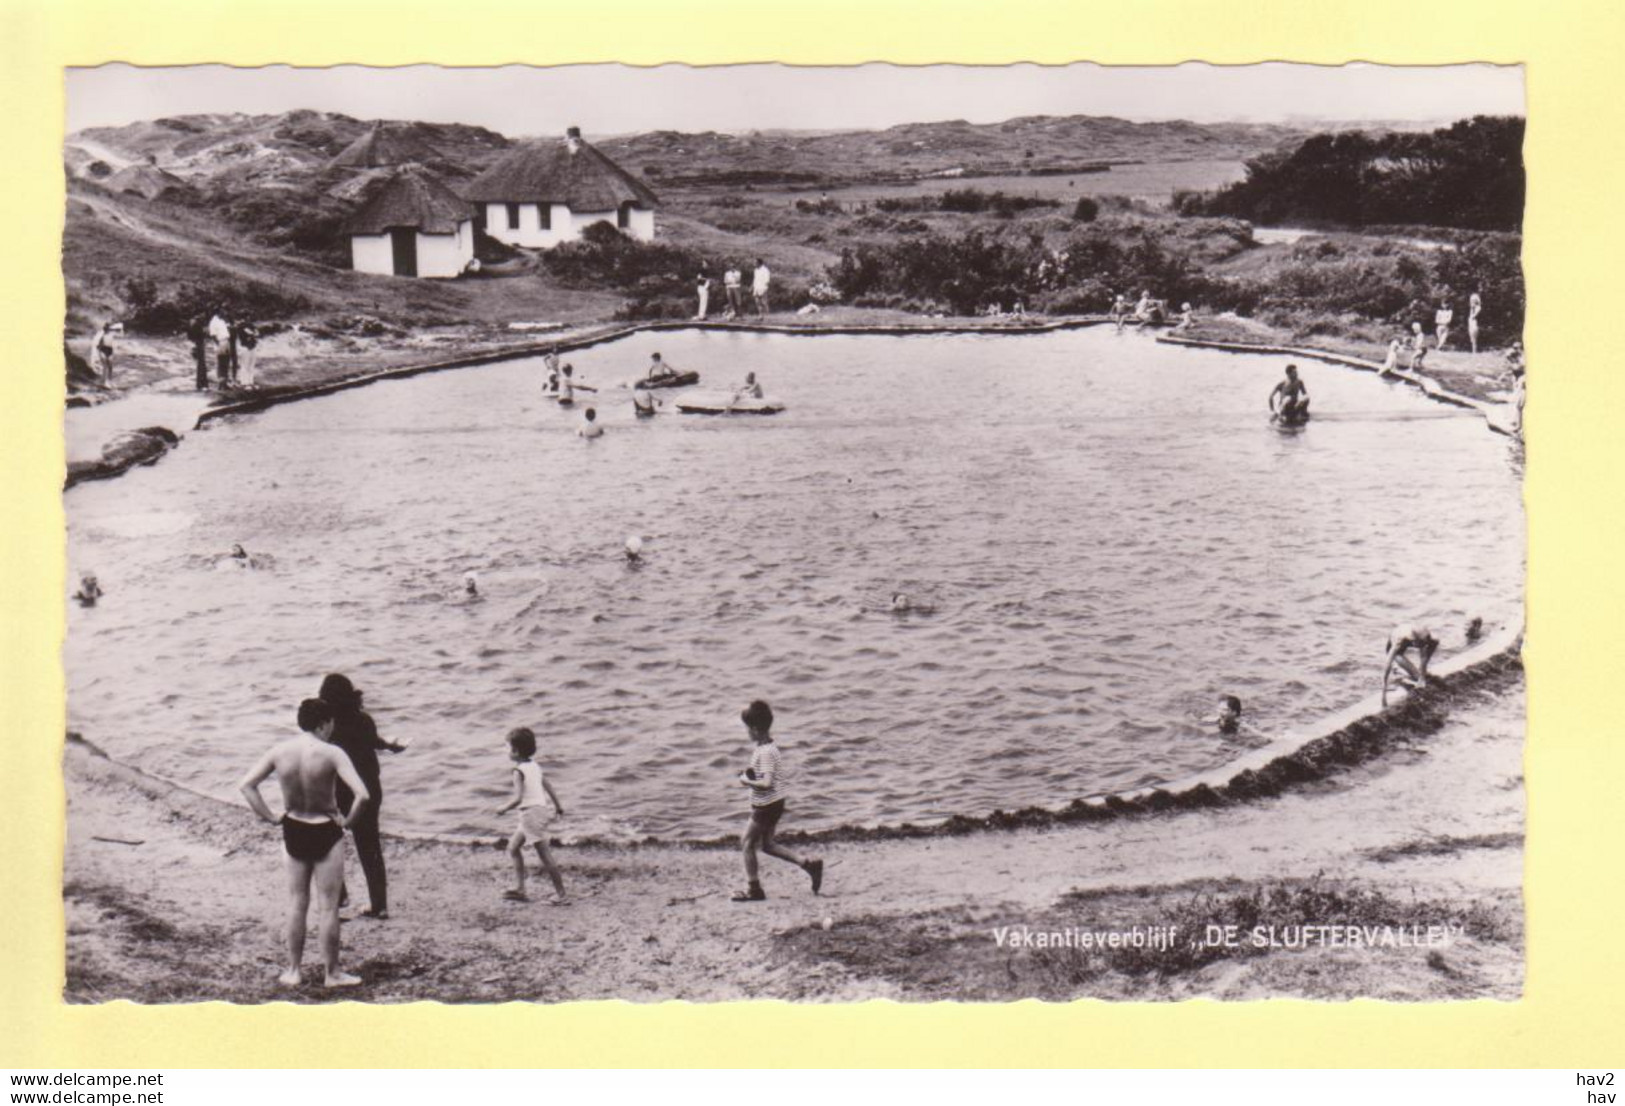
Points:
[(548, 192)]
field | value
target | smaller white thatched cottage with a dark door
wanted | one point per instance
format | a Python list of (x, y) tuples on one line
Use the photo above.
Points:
[(412, 227)]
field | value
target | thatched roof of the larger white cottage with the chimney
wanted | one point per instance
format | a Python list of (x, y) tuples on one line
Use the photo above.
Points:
[(560, 171)]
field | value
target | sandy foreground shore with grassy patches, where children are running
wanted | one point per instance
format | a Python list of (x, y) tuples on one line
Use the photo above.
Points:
[(173, 897)]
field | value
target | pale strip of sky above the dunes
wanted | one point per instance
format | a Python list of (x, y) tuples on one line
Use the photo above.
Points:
[(613, 100)]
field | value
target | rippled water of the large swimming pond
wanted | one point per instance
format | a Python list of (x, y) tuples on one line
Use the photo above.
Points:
[(1103, 535)]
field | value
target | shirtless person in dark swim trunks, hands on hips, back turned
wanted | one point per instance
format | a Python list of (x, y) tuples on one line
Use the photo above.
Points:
[(313, 831)]
